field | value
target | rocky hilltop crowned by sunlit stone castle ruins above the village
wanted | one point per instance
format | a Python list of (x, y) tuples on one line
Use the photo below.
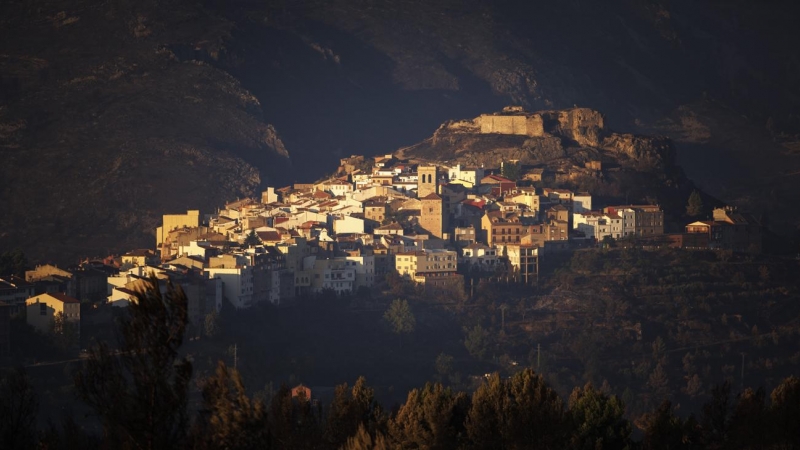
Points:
[(560, 138)]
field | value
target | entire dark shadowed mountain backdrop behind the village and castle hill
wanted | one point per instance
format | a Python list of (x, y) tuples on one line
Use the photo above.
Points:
[(113, 114)]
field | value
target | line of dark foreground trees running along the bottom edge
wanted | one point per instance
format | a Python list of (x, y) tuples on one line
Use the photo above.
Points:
[(140, 394)]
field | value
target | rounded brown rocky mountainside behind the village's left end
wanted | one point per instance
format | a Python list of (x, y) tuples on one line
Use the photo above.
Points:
[(102, 129)]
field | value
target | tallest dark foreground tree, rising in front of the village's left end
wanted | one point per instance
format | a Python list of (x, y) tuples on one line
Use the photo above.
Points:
[(140, 391)]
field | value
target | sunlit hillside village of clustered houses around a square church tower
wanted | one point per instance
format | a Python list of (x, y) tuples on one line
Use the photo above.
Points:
[(426, 223)]
